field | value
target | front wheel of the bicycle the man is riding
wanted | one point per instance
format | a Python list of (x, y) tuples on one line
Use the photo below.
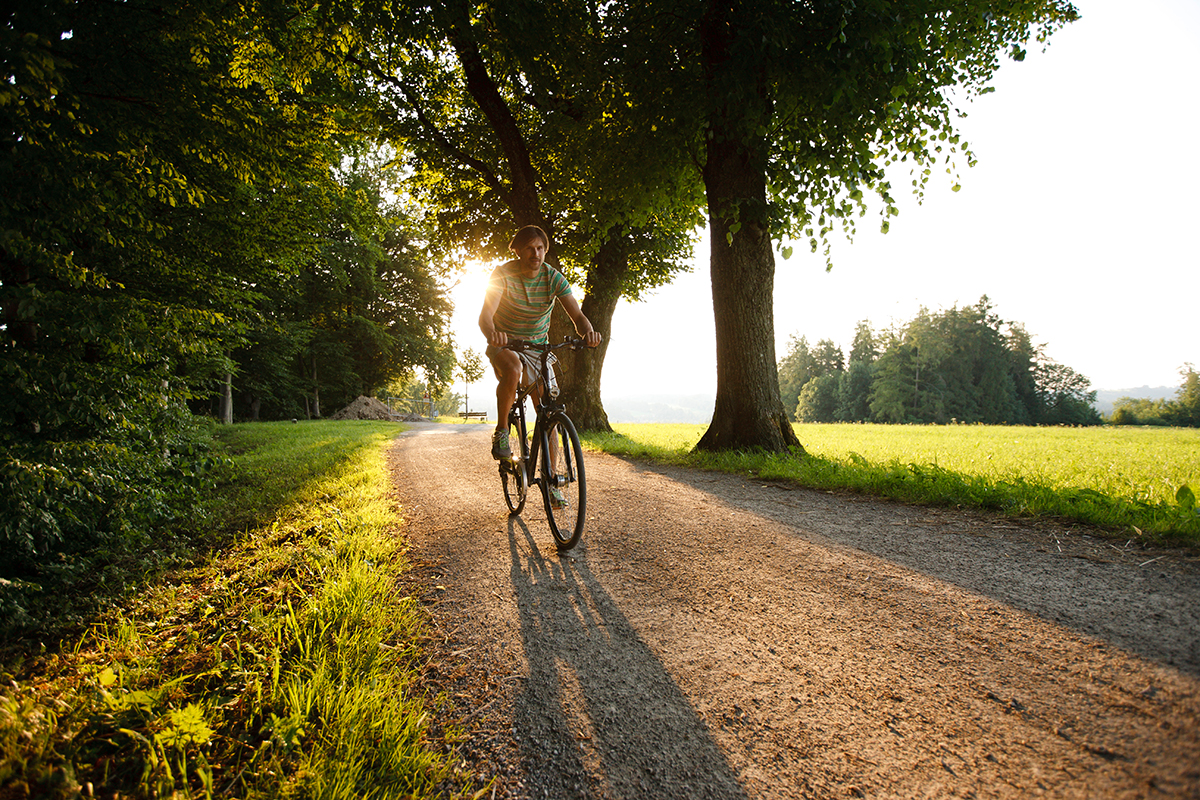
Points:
[(563, 486)]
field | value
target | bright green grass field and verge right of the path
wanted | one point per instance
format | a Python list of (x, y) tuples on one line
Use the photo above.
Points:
[(1135, 483)]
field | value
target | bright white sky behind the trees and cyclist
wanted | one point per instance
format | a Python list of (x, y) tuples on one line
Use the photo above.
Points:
[(1079, 221)]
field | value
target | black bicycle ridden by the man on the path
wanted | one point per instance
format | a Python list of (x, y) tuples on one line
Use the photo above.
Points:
[(562, 471)]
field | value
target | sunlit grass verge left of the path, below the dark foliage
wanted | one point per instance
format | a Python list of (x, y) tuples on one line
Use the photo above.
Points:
[(281, 663)]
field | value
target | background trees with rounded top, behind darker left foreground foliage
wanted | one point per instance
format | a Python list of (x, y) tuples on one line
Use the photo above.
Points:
[(359, 314)]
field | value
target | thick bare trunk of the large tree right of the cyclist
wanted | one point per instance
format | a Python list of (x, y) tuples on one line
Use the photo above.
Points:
[(749, 413)]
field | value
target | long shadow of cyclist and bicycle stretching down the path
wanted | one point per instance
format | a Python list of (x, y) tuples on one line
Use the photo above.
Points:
[(599, 717)]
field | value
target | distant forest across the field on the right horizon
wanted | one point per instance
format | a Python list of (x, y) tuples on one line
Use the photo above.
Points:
[(962, 365)]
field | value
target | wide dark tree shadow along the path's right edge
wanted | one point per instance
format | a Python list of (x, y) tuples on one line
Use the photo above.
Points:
[(1150, 609)]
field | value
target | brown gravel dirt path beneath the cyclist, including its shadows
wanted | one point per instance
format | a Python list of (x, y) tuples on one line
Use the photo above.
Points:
[(716, 636)]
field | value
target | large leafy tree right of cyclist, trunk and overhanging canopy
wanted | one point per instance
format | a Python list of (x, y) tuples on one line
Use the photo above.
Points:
[(801, 107)]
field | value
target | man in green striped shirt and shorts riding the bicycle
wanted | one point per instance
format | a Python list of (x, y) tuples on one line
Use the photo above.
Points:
[(519, 303)]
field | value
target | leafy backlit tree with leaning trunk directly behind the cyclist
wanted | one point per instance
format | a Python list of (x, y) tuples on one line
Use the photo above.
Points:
[(520, 130)]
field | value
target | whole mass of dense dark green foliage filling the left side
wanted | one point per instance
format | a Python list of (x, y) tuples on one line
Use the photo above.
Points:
[(172, 193)]
